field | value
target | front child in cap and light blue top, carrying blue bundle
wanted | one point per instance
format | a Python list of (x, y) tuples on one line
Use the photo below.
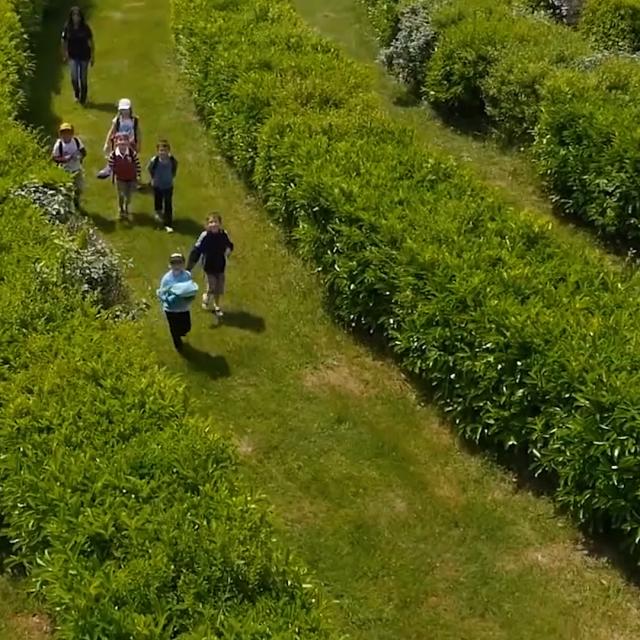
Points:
[(177, 291)]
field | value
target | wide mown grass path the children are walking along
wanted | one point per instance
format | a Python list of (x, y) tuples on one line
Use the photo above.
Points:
[(412, 537)]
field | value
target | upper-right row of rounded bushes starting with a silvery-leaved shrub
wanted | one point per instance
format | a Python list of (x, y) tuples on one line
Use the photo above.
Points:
[(536, 81)]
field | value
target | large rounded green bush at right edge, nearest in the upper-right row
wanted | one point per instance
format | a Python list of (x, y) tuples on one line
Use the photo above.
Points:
[(587, 145)]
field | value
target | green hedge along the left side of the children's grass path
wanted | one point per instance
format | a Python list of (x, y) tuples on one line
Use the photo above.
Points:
[(126, 513)]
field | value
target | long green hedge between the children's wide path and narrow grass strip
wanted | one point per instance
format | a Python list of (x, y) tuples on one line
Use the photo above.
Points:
[(527, 343)]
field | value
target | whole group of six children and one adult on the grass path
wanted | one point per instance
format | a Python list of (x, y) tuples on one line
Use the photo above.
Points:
[(122, 147)]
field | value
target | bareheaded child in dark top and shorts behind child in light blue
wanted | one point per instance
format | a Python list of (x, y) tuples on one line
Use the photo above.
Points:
[(215, 246)]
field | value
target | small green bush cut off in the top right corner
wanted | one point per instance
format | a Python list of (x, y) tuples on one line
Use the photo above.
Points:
[(612, 24)]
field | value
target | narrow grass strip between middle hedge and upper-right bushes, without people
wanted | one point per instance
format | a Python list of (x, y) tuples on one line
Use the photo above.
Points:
[(508, 169)]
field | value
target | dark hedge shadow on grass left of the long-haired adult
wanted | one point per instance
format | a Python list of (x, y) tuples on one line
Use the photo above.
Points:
[(50, 77)]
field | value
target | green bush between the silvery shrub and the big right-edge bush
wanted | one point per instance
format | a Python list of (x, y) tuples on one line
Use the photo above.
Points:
[(492, 61)]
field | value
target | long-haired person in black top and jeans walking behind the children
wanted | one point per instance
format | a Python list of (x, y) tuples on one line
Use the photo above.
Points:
[(78, 51)]
